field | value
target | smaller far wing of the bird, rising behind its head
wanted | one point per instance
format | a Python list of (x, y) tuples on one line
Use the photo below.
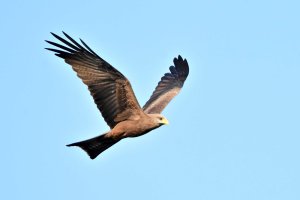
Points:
[(169, 86)]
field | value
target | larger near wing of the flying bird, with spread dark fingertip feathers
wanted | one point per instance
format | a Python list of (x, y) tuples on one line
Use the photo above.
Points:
[(110, 89)]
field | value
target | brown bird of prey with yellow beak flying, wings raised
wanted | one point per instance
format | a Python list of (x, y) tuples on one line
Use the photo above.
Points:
[(114, 97)]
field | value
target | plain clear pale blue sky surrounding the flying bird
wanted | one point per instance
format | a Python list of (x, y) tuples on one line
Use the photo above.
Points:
[(234, 129)]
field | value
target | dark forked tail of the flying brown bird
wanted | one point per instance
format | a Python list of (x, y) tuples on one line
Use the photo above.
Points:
[(94, 146)]
